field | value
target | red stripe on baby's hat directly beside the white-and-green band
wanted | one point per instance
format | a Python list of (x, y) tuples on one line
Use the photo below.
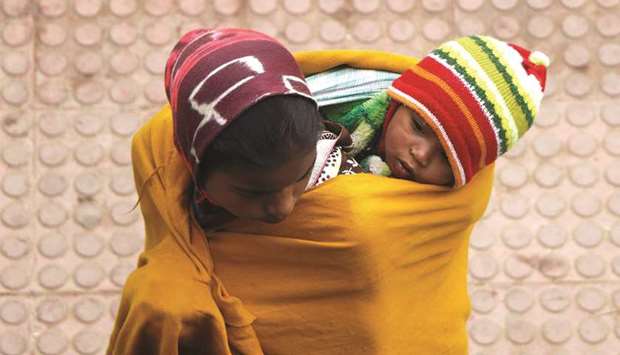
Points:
[(474, 107)]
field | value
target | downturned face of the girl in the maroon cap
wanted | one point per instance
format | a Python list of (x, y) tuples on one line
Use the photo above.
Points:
[(267, 195)]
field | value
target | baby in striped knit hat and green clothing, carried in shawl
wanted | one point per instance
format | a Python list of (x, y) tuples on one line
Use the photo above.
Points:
[(443, 120)]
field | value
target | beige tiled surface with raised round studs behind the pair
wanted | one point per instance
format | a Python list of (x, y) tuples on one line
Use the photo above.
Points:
[(77, 77)]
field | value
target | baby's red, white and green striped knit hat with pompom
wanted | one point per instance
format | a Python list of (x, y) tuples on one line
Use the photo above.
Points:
[(479, 94)]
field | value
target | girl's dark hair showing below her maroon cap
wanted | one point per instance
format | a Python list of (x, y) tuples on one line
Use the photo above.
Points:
[(265, 135)]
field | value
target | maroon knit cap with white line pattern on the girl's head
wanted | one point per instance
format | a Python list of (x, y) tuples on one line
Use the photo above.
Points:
[(213, 75)]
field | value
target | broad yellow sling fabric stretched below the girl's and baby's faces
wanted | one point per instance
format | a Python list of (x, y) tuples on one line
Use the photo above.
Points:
[(364, 265)]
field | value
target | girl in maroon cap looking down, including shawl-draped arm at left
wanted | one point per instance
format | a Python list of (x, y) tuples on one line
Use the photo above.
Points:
[(242, 138)]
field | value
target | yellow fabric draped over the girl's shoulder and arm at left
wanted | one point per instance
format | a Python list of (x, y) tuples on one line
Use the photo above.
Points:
[(173, 303)]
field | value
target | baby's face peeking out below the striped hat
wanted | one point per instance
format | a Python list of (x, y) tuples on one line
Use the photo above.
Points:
[(413, 151)]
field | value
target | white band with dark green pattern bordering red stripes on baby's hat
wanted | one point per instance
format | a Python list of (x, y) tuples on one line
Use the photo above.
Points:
[(479, 92)]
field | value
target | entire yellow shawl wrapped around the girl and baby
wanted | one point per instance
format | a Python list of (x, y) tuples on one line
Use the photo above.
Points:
[(364, 265)]
